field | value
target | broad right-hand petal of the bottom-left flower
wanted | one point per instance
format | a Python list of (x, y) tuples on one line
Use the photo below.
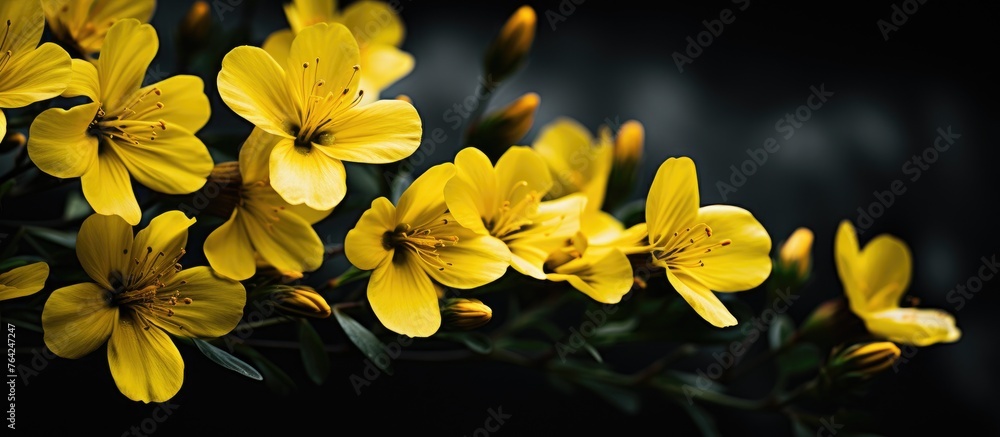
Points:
[(216, 304)]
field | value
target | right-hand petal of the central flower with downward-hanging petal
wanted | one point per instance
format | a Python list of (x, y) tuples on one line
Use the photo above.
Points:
[(474, 261)]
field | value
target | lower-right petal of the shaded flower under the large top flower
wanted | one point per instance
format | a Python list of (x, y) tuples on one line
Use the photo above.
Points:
[(288, 243)]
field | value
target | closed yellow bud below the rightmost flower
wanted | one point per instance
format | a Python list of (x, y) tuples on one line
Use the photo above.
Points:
[(862, 361)]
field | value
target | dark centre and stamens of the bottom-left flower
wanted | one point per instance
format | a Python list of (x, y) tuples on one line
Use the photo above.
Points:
[(144, 289)]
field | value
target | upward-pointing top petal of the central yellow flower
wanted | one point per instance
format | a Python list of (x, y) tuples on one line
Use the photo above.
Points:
[(423, 202)]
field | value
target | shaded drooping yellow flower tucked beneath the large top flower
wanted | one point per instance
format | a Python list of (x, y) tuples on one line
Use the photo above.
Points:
[(263, 223)]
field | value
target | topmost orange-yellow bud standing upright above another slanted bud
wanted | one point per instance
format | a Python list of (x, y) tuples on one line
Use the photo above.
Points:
[(510, 48)]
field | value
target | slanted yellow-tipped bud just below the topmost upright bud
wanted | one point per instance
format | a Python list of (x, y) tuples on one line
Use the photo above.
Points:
[(506, 126)]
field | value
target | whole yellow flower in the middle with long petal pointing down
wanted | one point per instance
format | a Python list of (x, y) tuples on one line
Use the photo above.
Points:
[(415, 243)]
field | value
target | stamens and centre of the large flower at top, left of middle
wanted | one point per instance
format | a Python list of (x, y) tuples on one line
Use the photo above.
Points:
[(319, 106)]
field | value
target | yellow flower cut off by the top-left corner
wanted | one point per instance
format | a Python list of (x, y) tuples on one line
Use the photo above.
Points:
[(28, 72)]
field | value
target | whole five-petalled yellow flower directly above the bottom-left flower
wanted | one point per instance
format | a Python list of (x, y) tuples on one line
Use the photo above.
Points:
[(146, 133)]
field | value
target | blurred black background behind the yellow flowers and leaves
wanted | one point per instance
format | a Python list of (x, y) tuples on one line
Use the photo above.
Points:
[(612, 61)]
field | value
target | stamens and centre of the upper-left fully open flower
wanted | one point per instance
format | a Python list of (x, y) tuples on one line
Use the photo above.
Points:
[(130, 124)]
